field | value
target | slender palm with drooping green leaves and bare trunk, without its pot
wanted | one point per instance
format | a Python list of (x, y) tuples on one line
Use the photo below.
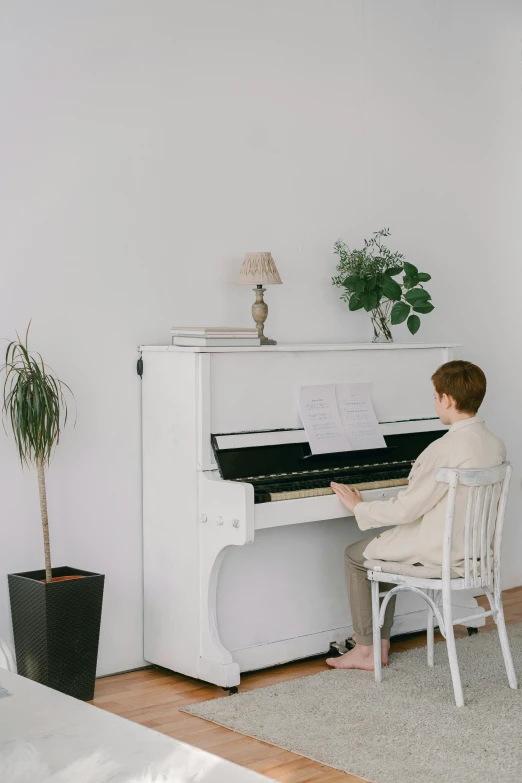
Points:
[(34, 402)]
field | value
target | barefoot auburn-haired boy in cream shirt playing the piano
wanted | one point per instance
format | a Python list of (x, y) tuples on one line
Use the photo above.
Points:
[(418, 512)]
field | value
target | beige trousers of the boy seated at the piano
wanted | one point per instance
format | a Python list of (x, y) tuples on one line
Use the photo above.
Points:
[(360, 594)]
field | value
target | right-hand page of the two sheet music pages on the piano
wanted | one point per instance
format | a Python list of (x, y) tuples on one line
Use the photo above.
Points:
[(358, 415)]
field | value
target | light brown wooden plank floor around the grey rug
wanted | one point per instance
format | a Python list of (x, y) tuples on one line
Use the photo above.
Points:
[(153, 697)]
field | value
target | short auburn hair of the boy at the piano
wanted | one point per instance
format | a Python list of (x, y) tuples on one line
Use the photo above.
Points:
[(463, 381)]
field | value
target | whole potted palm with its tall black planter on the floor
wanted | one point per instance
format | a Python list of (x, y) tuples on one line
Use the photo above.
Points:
[(56, 612)]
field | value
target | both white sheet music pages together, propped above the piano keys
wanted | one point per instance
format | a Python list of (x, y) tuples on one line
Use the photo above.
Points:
[(340, 417)]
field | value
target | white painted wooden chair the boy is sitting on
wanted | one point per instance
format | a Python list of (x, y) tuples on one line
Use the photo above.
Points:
[(486, 504)]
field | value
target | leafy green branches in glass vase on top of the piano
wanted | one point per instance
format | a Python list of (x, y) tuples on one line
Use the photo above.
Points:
[(367, 279)]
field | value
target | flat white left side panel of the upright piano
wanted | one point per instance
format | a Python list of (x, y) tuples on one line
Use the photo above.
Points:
[(170, 529)]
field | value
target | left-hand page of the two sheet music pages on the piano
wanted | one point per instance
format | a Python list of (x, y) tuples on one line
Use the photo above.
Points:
[(321, 419)]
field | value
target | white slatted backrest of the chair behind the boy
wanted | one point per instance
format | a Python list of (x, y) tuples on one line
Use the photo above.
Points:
[(484, 521)]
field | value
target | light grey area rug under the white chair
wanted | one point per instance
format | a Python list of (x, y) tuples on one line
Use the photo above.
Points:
[(403, 730)]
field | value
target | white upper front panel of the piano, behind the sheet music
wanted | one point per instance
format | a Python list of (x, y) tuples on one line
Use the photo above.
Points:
[(257, 391)]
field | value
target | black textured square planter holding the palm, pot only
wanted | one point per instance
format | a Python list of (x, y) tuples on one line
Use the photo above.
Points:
[(56, 628)]
